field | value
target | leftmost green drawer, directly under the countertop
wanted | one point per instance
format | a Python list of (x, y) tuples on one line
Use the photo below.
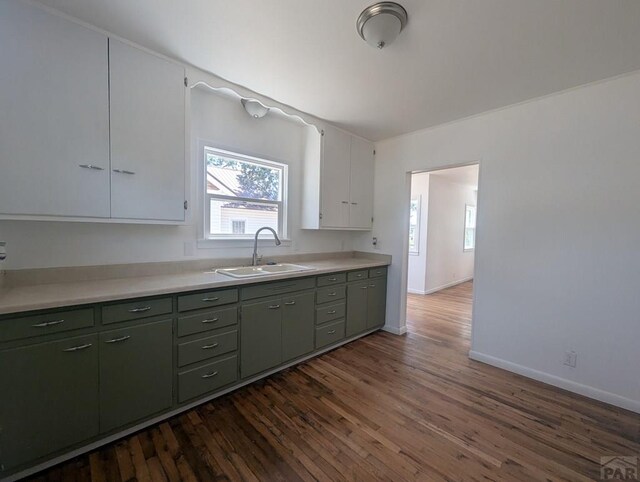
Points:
[(45, 324)]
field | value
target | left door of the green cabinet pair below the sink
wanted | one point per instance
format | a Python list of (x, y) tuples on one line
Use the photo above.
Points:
[(260, 336)]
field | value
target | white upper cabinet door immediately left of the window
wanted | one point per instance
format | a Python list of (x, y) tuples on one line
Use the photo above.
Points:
[(147, 135)]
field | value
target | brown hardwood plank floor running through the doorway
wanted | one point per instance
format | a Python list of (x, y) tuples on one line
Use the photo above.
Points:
[(385, 407)]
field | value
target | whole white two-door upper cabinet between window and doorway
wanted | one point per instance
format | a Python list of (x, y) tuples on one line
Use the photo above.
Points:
[(338, 181)]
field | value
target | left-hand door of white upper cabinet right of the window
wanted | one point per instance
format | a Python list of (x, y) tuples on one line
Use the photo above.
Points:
[(334, 182)]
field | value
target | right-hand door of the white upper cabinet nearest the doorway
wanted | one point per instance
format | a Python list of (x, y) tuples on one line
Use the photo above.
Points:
[(361, 192)]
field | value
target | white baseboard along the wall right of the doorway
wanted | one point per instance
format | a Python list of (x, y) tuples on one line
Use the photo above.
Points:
[(580, 389)]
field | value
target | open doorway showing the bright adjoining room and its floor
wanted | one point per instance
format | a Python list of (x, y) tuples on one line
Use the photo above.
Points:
[(441, 253)]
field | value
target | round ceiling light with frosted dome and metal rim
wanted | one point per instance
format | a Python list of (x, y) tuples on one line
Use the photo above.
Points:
[(381, 23)]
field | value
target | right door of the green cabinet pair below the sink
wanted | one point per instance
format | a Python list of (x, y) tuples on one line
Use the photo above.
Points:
[(298, 325)]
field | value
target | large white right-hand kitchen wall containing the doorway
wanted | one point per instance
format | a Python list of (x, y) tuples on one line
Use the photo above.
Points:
[(557, 259)]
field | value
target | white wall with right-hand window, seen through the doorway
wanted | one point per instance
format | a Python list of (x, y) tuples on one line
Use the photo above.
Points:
[(447, 263)]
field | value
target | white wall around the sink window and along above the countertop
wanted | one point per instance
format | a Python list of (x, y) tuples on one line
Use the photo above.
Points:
[(39, 244)]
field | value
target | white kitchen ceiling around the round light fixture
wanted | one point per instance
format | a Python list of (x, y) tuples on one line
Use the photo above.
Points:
[(455, 58)]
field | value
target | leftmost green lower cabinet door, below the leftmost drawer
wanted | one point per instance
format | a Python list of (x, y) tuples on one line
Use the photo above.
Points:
[(49, 400)]
